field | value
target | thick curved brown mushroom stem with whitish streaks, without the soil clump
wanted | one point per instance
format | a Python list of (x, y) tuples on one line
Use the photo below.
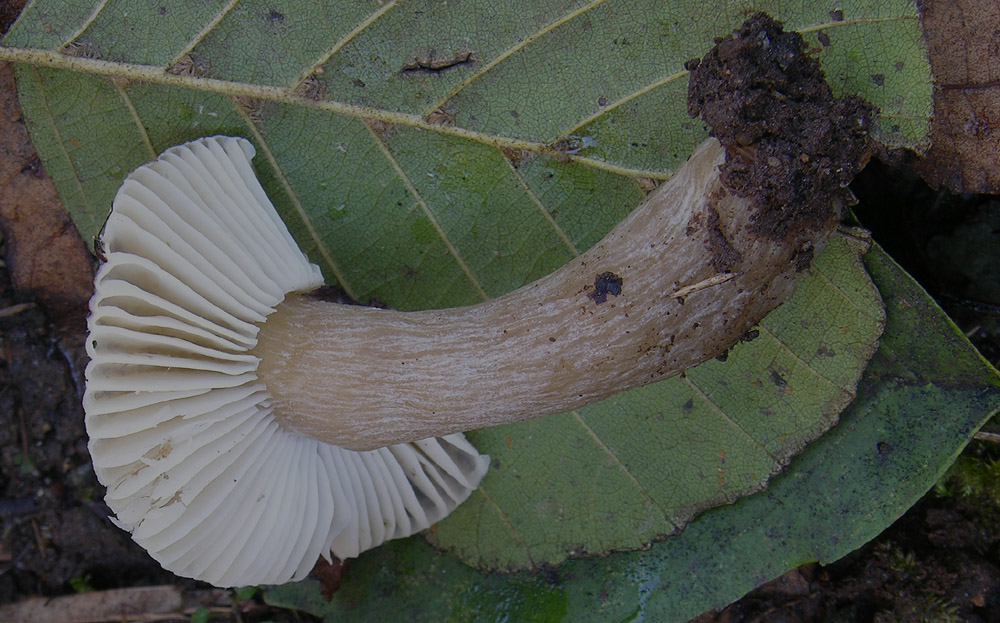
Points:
[(680, 280)]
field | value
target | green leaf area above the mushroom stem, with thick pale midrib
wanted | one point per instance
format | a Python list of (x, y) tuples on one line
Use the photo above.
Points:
[(446, 90)]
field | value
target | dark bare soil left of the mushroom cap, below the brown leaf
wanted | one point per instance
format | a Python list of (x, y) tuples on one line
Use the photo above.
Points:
[(54, 531)]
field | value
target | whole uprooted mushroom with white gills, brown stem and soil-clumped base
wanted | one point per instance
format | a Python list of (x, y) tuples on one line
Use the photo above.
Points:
[(244, 427)]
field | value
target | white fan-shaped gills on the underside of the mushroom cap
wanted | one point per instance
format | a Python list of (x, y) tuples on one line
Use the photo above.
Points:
[(182, 431)]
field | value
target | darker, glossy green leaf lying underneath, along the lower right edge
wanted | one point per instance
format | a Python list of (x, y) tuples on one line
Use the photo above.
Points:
[(917, 406)]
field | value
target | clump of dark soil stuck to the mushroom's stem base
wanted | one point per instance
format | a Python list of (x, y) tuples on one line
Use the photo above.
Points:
[(789, 143)]
